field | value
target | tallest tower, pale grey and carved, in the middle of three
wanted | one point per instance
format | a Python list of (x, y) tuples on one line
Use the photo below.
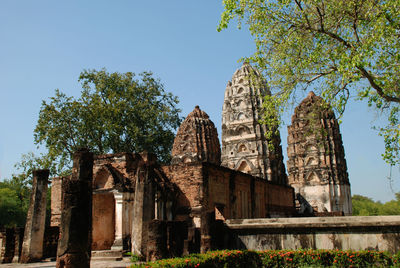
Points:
[(244, 146)]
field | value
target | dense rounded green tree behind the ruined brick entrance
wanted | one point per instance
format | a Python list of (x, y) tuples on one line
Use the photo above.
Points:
[(115, 113)]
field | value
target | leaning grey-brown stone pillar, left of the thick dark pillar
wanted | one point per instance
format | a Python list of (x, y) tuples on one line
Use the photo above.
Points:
[(32, 247)]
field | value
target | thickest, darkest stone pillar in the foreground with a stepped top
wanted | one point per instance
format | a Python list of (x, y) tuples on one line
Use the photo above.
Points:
[(74, 245)]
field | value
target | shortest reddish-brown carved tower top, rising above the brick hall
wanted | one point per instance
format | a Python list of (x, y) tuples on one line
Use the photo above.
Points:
[(196, 140)]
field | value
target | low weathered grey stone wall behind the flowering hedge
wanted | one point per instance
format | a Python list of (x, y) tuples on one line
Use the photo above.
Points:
[(350, 232)]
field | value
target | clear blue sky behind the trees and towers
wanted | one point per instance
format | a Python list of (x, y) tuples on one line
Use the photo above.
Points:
[(45, 45)]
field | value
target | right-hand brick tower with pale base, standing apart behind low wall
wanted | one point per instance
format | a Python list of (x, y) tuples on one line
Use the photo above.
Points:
[(317, 166)]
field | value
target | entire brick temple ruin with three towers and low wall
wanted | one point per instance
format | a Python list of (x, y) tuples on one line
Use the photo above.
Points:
[(208, 198)]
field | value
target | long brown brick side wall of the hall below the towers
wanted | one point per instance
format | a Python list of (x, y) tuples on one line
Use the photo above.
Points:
[(238, 195)]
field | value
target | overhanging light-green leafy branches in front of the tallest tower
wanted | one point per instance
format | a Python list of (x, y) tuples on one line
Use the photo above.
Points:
[(342, 48)]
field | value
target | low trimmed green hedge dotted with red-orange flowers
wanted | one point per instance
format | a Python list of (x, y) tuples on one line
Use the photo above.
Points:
[(281, 258)]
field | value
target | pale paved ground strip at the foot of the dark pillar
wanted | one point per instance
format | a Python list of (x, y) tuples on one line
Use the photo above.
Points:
[(52, 264)]
